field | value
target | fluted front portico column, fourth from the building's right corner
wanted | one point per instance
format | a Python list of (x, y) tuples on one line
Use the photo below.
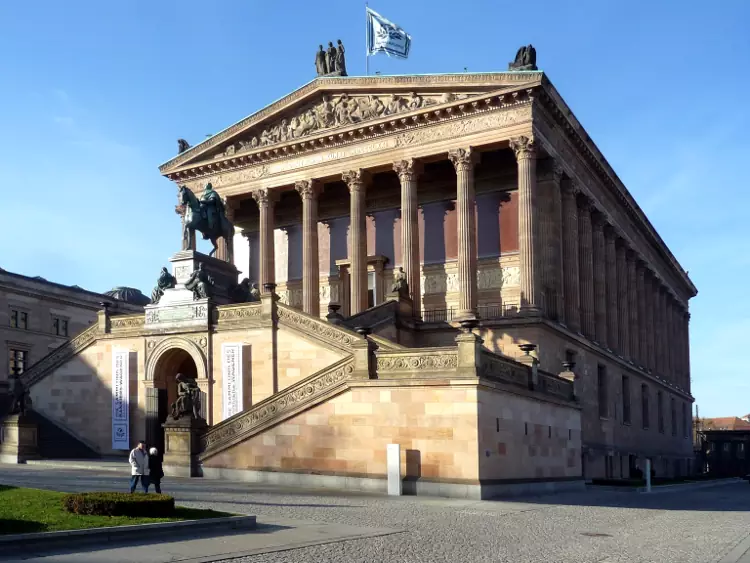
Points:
[(355, 179)]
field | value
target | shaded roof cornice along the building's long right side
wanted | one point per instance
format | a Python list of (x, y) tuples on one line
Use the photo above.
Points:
[(564, 117)]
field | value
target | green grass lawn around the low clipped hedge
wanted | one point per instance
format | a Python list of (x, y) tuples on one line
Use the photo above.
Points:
[(31, 510)]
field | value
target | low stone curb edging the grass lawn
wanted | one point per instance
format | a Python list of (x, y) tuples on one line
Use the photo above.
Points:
[(70, 538)]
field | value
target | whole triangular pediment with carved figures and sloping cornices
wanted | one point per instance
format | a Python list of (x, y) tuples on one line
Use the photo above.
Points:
[(327, 105)]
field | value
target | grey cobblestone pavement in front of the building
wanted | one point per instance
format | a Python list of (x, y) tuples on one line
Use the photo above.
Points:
[(700, 526)]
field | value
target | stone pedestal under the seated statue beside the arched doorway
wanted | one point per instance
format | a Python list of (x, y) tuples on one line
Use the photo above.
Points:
[(182, 446)]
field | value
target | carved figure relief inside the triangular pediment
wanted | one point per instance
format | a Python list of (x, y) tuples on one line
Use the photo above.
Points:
[(335, 111)]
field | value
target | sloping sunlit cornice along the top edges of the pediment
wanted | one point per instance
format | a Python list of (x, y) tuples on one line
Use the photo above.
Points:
[(335, 85)]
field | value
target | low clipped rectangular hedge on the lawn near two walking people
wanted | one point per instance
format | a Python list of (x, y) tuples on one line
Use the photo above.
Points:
[(119, 504)]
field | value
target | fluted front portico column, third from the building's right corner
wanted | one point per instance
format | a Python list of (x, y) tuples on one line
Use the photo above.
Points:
[(407, 171)]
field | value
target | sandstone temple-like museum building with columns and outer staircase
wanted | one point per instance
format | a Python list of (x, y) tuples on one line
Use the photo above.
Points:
[(445, 262)]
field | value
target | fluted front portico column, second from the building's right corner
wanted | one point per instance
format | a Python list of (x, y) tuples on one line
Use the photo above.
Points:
[(463, 161)]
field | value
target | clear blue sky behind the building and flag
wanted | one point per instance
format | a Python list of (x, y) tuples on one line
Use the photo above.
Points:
[(96, 93)]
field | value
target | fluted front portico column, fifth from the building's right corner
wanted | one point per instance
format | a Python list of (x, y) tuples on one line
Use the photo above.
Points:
[(309, 191)]
